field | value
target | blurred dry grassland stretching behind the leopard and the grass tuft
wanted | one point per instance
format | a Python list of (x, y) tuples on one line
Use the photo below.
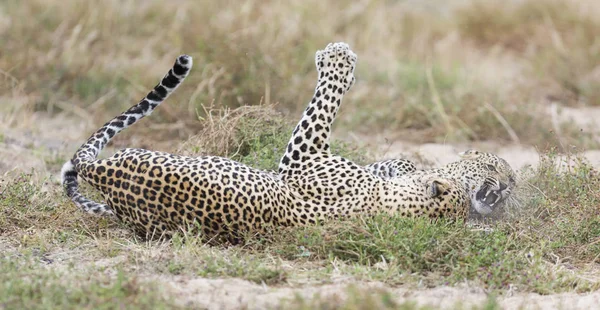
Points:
[(433, 77)]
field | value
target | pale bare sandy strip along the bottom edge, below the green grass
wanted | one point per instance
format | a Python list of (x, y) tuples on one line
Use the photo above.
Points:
[(240, 294)]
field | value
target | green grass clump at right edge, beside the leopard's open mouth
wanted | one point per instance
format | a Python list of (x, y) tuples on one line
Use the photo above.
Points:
[(564, 208)]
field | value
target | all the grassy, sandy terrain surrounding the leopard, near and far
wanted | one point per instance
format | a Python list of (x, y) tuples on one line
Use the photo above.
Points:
[(432, 80)]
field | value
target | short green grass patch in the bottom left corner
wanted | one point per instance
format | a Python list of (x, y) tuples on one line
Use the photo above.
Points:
[(27, 284)]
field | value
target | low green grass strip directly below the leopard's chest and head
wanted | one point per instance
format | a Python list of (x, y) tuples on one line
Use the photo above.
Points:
[(401, 251)]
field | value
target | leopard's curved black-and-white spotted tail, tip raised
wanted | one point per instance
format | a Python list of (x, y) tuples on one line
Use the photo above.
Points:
[(89, 151)]
